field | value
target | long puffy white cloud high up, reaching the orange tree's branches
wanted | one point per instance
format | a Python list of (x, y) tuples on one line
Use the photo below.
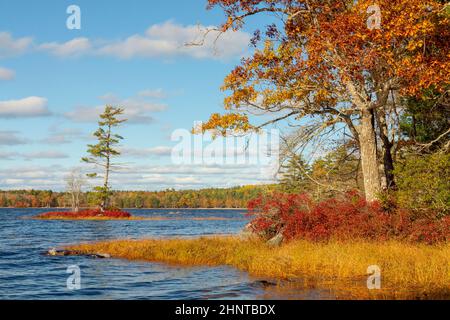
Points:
[(165, 40)]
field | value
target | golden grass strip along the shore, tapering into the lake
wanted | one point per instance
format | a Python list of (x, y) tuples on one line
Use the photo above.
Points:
[(408, 271)]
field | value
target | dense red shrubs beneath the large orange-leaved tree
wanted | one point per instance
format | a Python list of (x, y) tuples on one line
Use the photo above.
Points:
[(348, 217)]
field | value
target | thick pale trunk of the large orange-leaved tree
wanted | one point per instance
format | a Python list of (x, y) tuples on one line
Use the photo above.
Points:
[(369, 161)]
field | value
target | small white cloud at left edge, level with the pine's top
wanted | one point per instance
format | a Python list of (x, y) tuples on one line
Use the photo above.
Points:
[(27, 107)]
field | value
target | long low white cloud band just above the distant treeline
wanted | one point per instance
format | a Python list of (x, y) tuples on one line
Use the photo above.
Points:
[(148, 177)]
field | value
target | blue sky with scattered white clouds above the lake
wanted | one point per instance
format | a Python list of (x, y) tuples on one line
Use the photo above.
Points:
[(54, 82)]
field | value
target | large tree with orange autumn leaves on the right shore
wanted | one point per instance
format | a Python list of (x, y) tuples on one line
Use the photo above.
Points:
[(328, 65)]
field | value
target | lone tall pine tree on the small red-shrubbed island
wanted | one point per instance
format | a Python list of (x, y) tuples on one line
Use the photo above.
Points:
[(101, 154)]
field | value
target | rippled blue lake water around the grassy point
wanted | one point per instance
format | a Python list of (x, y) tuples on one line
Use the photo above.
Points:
[(25, 273)]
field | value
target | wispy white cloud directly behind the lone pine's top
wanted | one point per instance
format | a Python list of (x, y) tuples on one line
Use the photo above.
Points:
[(137, 109)]
